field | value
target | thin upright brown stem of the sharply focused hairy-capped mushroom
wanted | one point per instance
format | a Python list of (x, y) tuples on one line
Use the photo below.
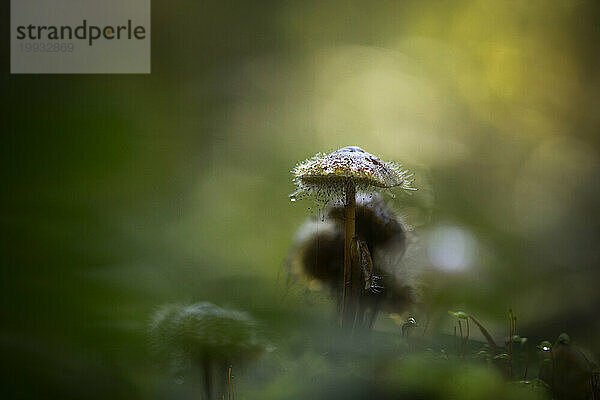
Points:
[(347, 314)]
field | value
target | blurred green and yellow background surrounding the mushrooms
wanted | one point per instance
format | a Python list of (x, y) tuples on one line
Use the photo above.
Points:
[(121, 193)]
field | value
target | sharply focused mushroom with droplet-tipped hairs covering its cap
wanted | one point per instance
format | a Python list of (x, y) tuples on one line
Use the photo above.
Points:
[(340, 175)]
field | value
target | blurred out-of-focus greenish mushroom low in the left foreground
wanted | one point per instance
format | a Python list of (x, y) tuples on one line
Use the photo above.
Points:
[(206, 337)]
